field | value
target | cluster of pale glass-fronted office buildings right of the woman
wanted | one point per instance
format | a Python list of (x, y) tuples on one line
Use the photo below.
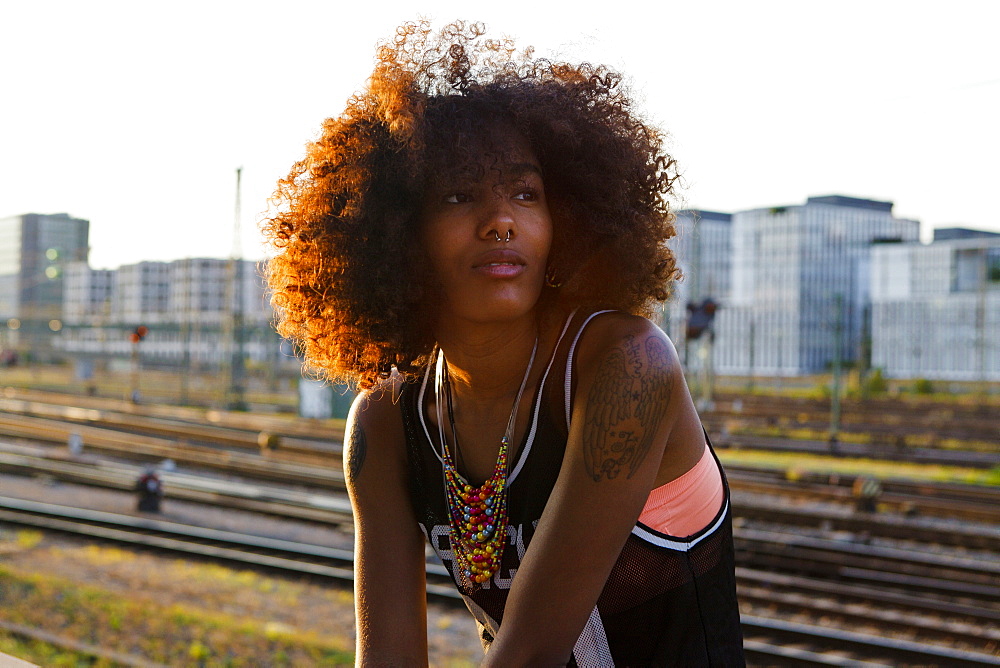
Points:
[(839, 281)]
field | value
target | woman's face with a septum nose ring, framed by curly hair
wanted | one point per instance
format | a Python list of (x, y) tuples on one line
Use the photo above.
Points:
[(488, 236)]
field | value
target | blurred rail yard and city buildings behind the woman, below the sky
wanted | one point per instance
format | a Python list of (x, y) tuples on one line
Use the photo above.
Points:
[(865, 520)]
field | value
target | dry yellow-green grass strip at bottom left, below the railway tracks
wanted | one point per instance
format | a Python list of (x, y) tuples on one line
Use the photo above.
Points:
[(178, 612)]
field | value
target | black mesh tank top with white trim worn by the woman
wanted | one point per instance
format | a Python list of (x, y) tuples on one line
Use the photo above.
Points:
[(668, 600)]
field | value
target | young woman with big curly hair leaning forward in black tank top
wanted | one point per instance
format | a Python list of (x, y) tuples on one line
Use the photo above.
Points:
[(474, 242)]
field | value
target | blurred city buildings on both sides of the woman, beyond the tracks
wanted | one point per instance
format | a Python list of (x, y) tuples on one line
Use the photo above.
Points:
[(783, 292)]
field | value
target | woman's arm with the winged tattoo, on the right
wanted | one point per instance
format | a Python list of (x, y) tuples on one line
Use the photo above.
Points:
[(629, 398)]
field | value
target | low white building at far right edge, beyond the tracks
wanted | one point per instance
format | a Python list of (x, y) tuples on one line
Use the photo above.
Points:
[(936, 308)]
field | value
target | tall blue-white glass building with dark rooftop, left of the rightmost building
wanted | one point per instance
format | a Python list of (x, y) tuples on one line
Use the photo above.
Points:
[(800, 284)]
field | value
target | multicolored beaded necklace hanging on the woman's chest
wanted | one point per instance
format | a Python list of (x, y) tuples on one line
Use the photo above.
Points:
[(477, 514)]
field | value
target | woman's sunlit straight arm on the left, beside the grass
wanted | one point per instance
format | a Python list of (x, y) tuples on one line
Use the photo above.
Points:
[(389, 586)]
